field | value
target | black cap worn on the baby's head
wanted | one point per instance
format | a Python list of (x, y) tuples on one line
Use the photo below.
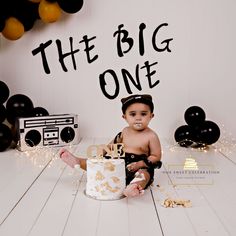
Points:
[(143, 98)]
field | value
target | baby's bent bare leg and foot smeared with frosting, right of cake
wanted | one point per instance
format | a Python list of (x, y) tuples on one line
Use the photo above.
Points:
[(138, 184)]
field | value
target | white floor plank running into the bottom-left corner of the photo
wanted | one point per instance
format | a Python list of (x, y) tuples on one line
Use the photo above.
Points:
[(27, 210)]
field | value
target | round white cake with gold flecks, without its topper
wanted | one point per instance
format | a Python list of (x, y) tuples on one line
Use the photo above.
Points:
[(105, 178)]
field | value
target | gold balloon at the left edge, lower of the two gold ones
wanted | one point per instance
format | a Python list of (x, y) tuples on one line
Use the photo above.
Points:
[(13, 29)]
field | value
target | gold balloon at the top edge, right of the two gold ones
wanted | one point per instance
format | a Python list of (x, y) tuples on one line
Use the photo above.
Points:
[(49, 12)]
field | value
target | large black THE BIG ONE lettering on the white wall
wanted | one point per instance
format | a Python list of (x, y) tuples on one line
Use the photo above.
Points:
[(124, 44)]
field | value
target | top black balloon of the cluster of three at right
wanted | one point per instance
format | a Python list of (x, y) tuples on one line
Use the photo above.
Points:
[(194, 115)]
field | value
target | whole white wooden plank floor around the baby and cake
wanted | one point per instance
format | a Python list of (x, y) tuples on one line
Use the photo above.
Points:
[(40, 195)]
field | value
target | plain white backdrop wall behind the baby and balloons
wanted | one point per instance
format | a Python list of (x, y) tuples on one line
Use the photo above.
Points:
[(199, 70)]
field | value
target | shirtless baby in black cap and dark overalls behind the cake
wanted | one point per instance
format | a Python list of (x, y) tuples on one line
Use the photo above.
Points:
[(141, 145)]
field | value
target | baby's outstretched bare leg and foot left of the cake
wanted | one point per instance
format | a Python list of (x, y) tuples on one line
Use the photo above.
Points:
[(72, 160)]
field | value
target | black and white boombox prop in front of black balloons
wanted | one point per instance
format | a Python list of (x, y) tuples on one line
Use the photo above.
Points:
[(53, 130)]
